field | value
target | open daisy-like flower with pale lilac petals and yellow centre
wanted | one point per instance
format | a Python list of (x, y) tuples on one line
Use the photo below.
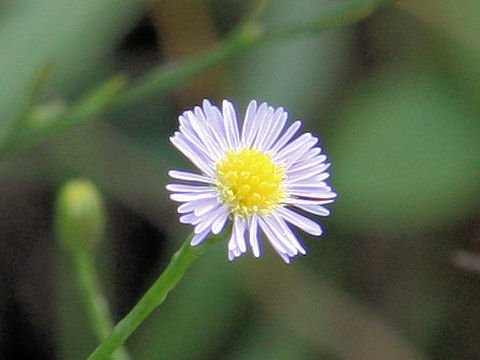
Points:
[(256, 175)]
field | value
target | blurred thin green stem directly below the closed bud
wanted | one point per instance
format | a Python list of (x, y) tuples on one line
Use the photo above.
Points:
[(98, 311)]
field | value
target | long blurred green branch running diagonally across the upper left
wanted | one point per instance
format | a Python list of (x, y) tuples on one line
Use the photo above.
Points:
[(51, 118)]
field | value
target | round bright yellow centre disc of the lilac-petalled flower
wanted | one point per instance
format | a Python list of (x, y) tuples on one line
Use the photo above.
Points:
[(249, 182)]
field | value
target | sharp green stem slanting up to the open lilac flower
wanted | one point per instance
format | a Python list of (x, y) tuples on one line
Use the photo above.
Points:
[(157, 293)]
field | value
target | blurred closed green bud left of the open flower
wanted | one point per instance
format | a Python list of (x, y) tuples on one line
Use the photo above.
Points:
[(80, 216)]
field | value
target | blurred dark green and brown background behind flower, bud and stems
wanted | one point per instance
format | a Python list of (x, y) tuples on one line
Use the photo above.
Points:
[(395, 100)]
